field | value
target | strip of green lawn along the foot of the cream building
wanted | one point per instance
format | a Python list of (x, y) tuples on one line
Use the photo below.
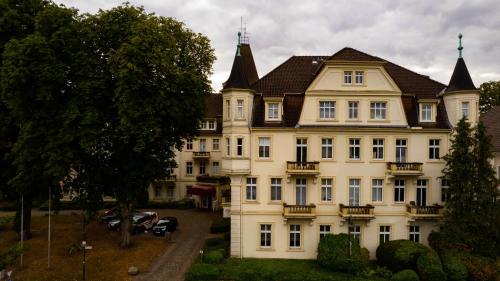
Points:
[(268, 269)]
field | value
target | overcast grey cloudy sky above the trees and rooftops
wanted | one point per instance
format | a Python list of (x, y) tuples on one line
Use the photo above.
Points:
[(419, 35)]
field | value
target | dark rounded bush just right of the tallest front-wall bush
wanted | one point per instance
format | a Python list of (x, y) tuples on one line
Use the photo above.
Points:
[(399, 254)]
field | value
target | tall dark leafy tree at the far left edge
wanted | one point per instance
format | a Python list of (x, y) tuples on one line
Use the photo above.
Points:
[(35, 81)]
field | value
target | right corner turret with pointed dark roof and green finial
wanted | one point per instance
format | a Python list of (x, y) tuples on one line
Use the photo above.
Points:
[(461, 97)]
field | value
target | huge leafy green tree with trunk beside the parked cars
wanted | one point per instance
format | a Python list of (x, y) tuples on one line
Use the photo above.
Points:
[(142, 92)]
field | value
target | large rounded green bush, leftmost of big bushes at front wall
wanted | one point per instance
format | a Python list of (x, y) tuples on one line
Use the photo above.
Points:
[(333, 253)]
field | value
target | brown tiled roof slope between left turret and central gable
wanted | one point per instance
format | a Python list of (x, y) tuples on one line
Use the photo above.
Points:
[(292, 76)]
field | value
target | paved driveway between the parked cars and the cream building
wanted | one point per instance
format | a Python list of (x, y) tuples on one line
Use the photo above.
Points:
[(194, 229)]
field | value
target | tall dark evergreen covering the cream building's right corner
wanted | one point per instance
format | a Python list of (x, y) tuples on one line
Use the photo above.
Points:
[(472, 215)]
